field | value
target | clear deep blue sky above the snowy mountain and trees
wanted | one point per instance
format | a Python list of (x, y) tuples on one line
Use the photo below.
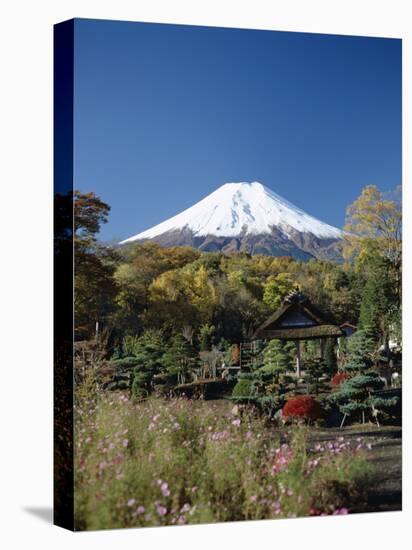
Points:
[(164, 114)]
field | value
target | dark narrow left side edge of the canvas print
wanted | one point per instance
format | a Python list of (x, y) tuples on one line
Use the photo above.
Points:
[(63, 274)]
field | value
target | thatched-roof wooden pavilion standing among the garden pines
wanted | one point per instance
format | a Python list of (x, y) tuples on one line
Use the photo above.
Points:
[(297, 319)]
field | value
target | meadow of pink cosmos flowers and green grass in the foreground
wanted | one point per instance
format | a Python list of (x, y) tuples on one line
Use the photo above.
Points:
[(177, 462)]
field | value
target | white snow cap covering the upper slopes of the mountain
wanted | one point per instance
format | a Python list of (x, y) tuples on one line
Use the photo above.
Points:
[(242, 209)]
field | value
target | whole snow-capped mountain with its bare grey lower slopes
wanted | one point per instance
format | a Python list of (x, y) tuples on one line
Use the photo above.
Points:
[(247, 217)]
